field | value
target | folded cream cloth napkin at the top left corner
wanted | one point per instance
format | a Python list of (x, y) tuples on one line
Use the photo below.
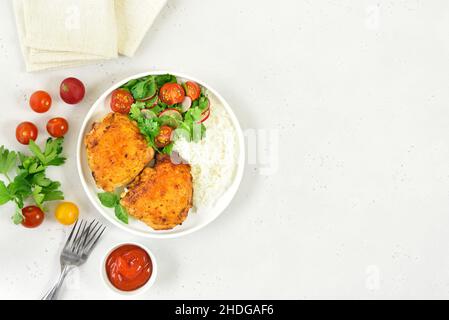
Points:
[(66, 33)]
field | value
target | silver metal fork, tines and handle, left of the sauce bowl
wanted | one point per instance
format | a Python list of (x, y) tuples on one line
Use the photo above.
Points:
[(79, 246)]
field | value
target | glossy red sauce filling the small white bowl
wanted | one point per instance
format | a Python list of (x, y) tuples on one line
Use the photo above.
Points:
[(129, 267)]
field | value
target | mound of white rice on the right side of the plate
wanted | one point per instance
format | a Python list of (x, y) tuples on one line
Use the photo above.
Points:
[(213, 159)]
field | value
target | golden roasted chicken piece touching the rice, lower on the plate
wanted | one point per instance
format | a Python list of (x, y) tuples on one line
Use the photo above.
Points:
[(161, 196)]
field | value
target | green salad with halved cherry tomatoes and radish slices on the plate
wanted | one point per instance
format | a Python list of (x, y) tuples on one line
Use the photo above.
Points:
[(164, 109)]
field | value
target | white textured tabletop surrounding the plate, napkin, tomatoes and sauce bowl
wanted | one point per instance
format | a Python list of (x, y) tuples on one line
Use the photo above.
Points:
[(359, 206)]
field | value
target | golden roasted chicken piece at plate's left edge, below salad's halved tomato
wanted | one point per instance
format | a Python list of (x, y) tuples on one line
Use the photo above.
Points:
[(117, 152)]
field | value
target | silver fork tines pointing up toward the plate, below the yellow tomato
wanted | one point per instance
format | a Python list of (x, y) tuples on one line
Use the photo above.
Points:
[(84, 236)]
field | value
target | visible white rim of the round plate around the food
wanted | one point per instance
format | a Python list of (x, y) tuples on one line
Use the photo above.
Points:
[(195, 221)]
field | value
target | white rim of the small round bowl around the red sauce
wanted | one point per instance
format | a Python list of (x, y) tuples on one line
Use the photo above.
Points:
[(142, 289)]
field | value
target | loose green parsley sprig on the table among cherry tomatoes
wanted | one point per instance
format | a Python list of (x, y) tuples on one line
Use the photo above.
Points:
[(30, 180)]
